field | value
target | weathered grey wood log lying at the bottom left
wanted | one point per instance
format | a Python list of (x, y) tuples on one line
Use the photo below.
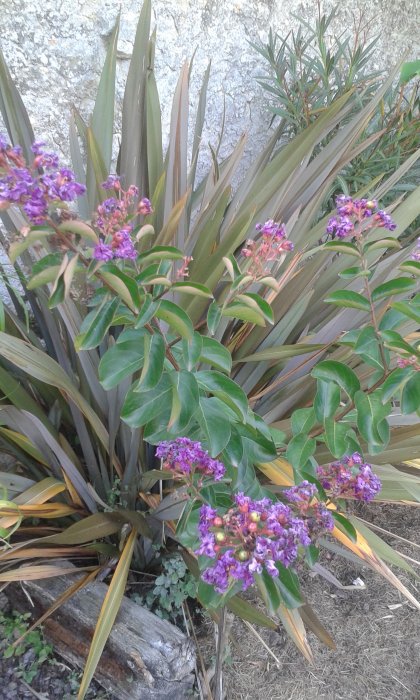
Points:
[(145, 658)]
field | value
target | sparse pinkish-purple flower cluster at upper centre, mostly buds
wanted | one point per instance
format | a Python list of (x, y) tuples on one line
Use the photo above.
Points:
[(272, 245)]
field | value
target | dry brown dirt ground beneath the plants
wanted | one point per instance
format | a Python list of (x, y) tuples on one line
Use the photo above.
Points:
[(376, 631)]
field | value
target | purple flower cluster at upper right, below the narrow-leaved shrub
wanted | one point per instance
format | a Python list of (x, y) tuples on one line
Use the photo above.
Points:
[(352, 215)]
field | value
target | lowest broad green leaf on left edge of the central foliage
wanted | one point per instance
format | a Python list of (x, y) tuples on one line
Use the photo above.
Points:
[(141, 407)]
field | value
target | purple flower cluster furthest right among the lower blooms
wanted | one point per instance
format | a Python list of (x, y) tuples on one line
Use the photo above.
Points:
[(350, 477)]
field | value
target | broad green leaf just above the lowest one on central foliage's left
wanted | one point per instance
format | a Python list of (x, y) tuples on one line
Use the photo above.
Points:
[(121, 360)]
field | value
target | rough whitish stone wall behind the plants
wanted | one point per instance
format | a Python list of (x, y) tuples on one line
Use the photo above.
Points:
[(55, 50)]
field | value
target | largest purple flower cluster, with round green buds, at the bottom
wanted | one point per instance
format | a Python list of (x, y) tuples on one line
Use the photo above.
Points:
[(256, 535)]
